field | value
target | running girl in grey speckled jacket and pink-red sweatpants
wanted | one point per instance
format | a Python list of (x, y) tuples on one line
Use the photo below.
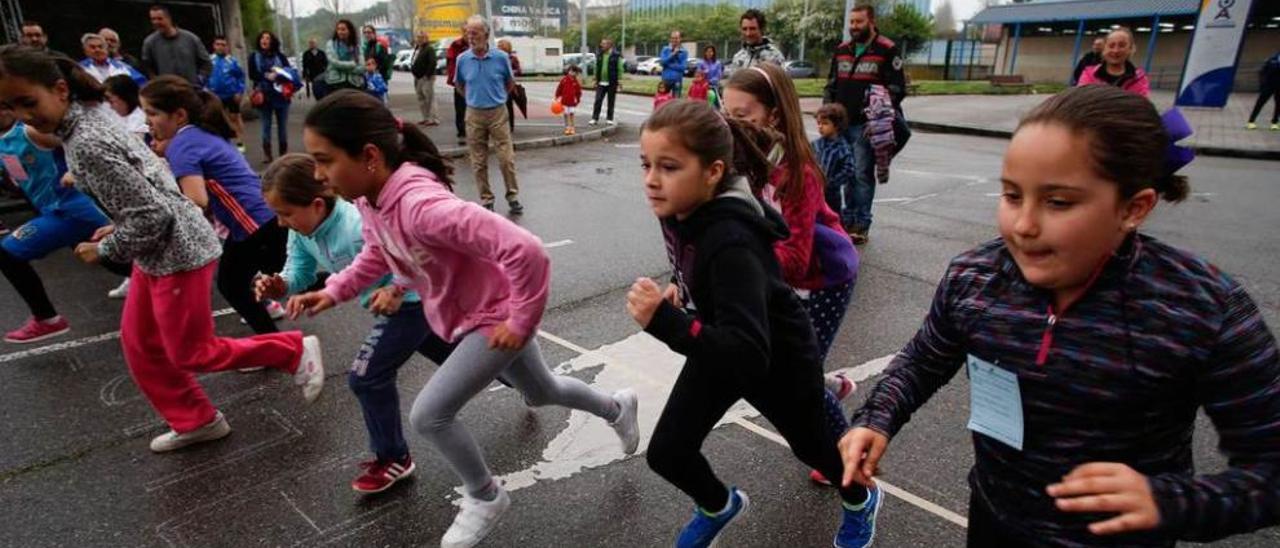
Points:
[(167, 330)]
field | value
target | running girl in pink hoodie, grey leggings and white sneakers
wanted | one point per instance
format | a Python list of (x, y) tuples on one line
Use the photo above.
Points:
[(483, 281)]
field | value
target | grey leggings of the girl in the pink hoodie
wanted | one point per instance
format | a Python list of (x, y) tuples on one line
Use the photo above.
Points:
[(470, 369)]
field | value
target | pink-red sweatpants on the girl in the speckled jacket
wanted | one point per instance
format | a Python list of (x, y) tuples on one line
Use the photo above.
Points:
[(168, 335)]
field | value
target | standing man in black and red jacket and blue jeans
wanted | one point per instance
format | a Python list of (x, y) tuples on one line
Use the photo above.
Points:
[(868, 60)]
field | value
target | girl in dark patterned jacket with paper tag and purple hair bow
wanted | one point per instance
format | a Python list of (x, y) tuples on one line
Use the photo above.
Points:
[(1090, 349)]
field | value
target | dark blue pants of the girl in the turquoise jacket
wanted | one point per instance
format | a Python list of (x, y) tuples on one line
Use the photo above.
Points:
[(391, 344)]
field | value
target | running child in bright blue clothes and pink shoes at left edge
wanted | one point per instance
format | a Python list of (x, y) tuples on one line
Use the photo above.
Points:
[(35, 163)]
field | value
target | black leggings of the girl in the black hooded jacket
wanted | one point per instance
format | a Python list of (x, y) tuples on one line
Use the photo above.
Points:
[(790, 398)]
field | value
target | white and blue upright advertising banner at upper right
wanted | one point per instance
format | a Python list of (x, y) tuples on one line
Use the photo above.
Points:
[(1210, 70)]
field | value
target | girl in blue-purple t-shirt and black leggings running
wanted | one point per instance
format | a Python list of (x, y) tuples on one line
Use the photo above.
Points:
[(217, 177)]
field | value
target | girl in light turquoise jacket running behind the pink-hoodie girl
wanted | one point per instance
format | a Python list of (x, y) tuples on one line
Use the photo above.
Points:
[(326, 235)]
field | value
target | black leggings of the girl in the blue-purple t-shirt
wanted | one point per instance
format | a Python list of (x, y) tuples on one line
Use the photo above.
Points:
[(262, 253)]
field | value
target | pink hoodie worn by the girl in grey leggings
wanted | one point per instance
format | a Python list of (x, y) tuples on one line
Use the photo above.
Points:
[(473, 268)]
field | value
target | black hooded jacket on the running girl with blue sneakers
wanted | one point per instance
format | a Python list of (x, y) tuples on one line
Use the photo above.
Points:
[(747, 319)]
